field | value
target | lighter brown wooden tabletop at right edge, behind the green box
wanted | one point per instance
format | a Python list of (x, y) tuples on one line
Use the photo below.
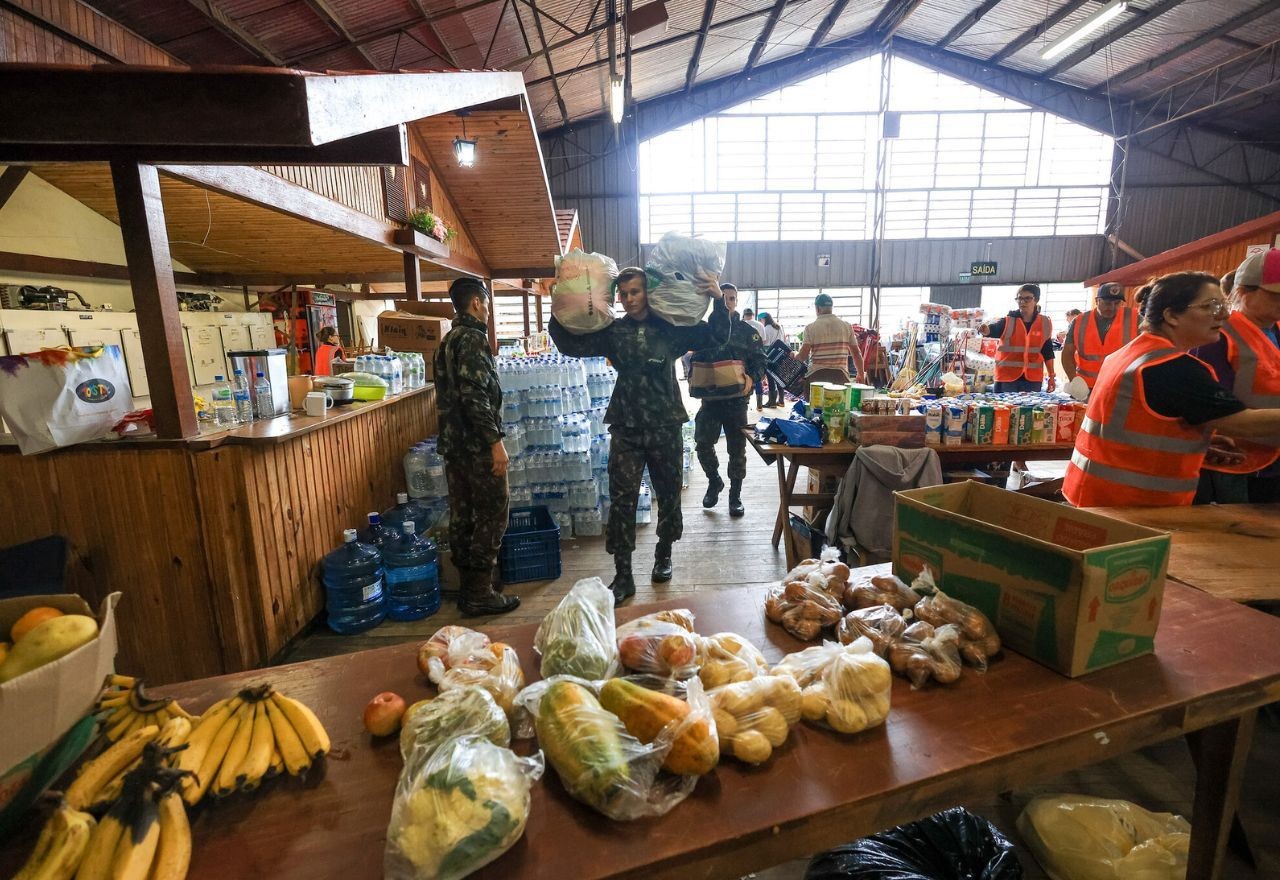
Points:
[(1229, 551)]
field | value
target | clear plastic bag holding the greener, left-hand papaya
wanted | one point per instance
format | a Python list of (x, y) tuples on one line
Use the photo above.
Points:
[(597, 760)]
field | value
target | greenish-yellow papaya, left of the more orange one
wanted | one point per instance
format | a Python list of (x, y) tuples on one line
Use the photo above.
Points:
[(584, 744)]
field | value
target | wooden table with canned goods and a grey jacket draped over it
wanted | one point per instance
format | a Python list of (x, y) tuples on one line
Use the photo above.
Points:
[(840, 456)]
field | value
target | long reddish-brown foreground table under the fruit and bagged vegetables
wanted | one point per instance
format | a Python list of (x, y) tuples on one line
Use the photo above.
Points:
[(1215, 664)]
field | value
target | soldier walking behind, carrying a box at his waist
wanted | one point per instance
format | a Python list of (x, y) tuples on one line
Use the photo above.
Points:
[(723, 379)]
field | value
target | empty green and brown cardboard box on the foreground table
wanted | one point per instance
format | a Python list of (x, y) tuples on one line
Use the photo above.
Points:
[(1072, 590)]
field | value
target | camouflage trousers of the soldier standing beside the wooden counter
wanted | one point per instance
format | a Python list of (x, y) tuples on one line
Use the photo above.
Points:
[(479, 505)]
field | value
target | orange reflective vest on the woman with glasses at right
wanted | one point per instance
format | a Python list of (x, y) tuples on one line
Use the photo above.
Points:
[(1126, 453)]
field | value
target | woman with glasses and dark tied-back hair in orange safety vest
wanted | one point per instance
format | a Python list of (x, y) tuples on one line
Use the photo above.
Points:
[(1150, 424)]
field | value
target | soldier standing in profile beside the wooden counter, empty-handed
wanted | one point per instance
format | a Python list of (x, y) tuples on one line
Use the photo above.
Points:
[(470, 404)]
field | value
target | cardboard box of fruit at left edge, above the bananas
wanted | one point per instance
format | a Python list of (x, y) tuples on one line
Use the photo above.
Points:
[(38, 709)]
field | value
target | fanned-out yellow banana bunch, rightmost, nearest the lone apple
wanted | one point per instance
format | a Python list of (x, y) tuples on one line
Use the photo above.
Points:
[(259, 734)]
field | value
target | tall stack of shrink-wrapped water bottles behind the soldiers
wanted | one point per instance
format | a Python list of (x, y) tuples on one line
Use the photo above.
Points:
[(554, 419)]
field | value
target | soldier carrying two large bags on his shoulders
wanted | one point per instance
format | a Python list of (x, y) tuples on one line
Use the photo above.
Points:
[(644, 416)]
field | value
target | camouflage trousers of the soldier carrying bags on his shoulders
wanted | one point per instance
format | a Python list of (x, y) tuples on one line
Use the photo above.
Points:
[(630, 450)]
